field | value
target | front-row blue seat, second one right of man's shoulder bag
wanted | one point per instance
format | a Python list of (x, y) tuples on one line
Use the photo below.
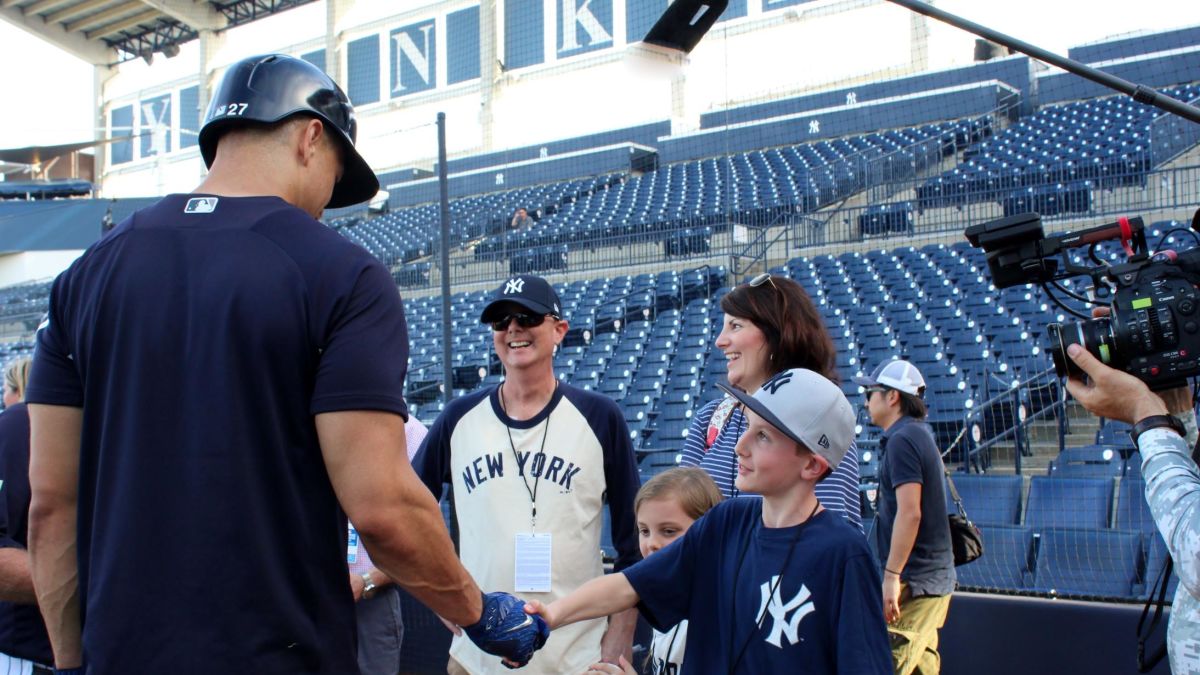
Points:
[(1089, 563)]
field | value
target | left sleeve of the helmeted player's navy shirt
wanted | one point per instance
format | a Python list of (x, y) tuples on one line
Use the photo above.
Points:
[(55, 380)]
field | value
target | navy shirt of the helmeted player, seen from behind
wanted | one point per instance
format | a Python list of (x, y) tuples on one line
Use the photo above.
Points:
[(201, 338)]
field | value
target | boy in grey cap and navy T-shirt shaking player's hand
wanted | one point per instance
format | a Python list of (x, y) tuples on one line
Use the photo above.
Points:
[(771, 586)]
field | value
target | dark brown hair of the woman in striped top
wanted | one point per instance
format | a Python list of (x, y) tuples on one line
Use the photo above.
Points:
[(788, 318)]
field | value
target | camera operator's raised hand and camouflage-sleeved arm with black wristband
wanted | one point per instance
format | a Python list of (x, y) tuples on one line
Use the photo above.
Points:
[(1165, 432)]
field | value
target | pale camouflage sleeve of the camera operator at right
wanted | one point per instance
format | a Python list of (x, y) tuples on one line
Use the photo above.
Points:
[(1173, 491)]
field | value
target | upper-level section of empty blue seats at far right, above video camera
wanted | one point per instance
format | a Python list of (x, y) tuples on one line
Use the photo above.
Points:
[(1049, 163)]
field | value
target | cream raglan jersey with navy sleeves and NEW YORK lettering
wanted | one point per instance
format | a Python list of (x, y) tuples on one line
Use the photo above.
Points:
[(574, 457)]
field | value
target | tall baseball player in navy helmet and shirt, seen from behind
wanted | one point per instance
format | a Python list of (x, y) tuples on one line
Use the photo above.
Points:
[(219, 387)]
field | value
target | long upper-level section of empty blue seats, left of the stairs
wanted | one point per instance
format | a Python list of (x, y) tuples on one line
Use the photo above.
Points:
[(682, 205)]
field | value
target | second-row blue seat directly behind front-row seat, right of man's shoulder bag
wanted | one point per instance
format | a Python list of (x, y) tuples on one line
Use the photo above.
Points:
[(1070, 503)]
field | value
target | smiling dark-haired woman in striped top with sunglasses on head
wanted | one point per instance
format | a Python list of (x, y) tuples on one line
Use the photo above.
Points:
[(771, 326)]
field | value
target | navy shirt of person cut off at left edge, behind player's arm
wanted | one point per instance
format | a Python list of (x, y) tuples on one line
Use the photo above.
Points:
[(22, 632)]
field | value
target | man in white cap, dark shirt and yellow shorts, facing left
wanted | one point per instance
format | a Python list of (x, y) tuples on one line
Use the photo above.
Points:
[(913, 531)]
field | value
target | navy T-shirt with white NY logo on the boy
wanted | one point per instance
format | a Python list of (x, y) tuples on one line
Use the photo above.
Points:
[(823, 613)]
